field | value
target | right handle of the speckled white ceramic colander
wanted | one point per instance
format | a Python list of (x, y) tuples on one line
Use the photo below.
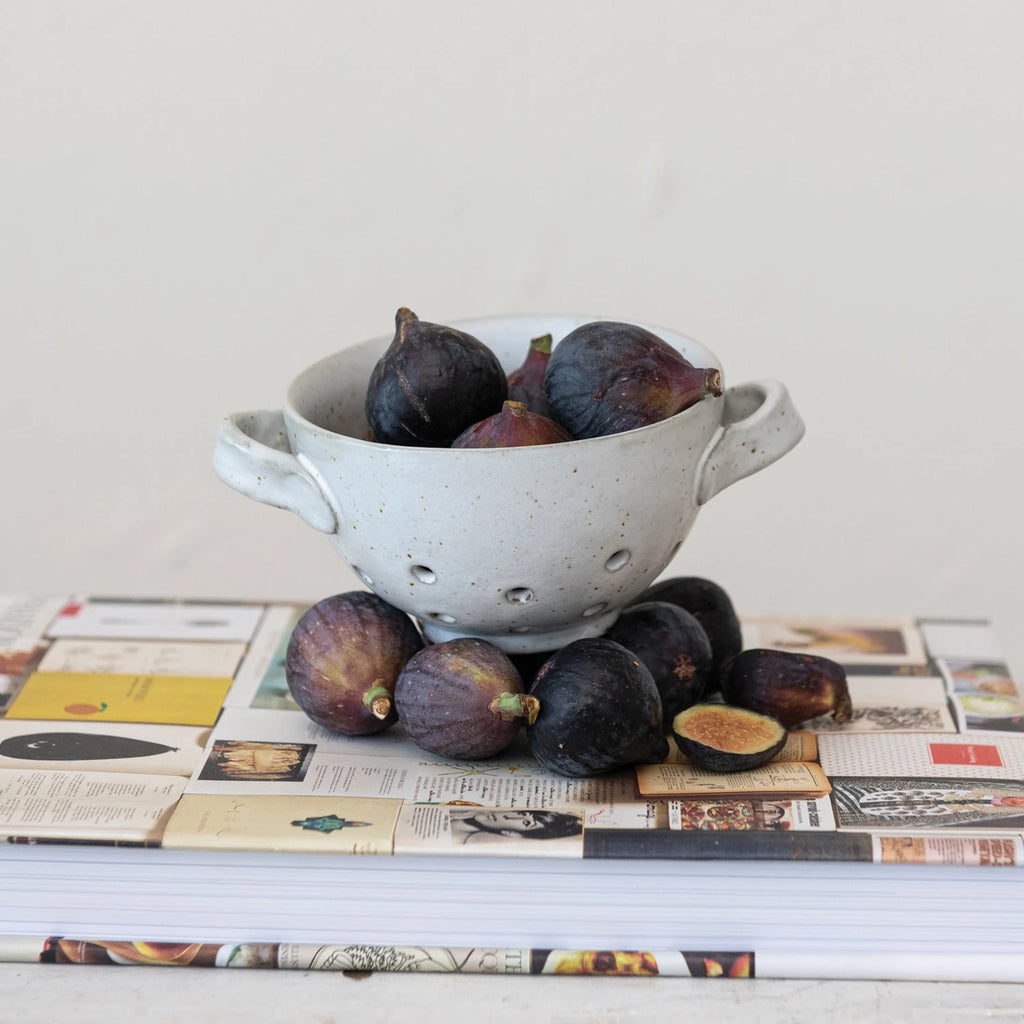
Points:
[(759, 425)]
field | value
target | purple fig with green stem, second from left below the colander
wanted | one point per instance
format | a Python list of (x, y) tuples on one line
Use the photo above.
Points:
[(462, 699)]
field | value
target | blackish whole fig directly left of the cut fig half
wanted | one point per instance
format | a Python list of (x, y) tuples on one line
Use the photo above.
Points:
[(600, 711)]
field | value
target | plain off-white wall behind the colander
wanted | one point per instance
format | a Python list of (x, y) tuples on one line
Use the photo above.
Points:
[(200, 199)]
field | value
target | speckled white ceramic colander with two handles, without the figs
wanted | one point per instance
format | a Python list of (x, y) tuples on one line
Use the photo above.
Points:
[(528, 547)]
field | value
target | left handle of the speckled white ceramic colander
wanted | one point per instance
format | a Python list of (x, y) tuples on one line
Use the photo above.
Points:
[(254, 457)]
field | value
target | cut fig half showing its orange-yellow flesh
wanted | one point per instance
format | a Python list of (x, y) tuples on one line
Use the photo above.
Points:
[(723, 739)]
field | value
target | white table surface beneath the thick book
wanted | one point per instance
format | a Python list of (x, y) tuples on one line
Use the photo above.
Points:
[(31, 994)]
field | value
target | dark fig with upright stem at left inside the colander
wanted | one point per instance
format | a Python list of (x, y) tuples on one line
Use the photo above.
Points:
[(432, 385)]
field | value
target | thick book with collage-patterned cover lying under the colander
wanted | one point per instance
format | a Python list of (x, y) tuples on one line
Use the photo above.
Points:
[(164, 801)]
